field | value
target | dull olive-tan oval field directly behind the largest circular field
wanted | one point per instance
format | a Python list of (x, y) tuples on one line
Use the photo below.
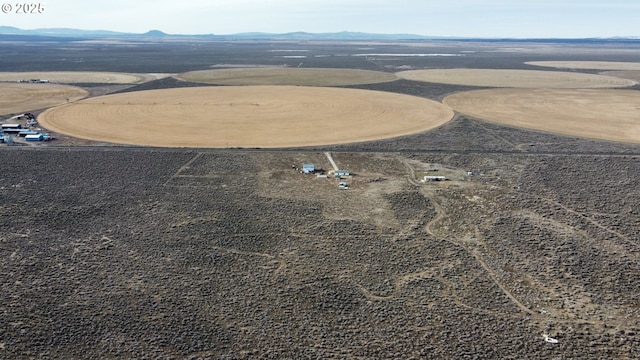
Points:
[(288, 76)]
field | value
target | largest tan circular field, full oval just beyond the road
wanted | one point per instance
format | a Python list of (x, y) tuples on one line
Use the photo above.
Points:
[(246, 116)]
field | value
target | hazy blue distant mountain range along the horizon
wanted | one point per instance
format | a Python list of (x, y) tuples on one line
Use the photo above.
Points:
[(53, 33)]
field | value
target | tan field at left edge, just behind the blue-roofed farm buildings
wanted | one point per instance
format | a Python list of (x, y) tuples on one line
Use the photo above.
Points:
[(17, 98)]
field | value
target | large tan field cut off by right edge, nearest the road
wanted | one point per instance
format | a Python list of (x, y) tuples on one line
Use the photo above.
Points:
[(602, 114)]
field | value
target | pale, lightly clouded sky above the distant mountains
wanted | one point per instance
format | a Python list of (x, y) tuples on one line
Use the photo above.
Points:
[(461, 18)]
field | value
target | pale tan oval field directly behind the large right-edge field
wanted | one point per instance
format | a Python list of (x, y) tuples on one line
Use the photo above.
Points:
[(516, 78)]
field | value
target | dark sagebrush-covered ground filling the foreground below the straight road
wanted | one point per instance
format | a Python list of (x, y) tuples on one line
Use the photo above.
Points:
[(143, 253)]
